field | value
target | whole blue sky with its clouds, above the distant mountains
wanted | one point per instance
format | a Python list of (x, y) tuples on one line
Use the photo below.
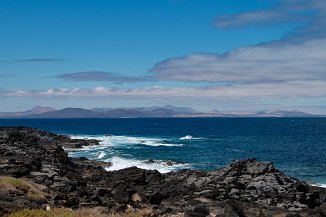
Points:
[(253, 55)]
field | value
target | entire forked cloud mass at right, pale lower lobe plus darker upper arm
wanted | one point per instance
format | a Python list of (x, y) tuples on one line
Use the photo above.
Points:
[(300, 56)]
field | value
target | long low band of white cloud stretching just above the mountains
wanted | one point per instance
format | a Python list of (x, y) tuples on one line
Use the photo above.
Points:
[(236, 91)]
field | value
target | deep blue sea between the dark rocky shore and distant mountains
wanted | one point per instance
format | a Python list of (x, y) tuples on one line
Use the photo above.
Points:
[(297, 146)]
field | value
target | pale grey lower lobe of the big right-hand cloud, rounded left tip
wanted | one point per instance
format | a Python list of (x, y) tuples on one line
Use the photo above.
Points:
[(264, 63)]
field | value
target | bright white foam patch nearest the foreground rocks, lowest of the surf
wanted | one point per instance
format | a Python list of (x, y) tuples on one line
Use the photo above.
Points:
[(121, 163)]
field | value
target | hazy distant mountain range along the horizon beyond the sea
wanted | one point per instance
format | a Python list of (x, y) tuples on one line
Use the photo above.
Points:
[(154, 111)]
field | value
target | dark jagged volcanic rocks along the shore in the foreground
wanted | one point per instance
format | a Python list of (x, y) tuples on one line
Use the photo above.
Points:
[(243, 188)]
